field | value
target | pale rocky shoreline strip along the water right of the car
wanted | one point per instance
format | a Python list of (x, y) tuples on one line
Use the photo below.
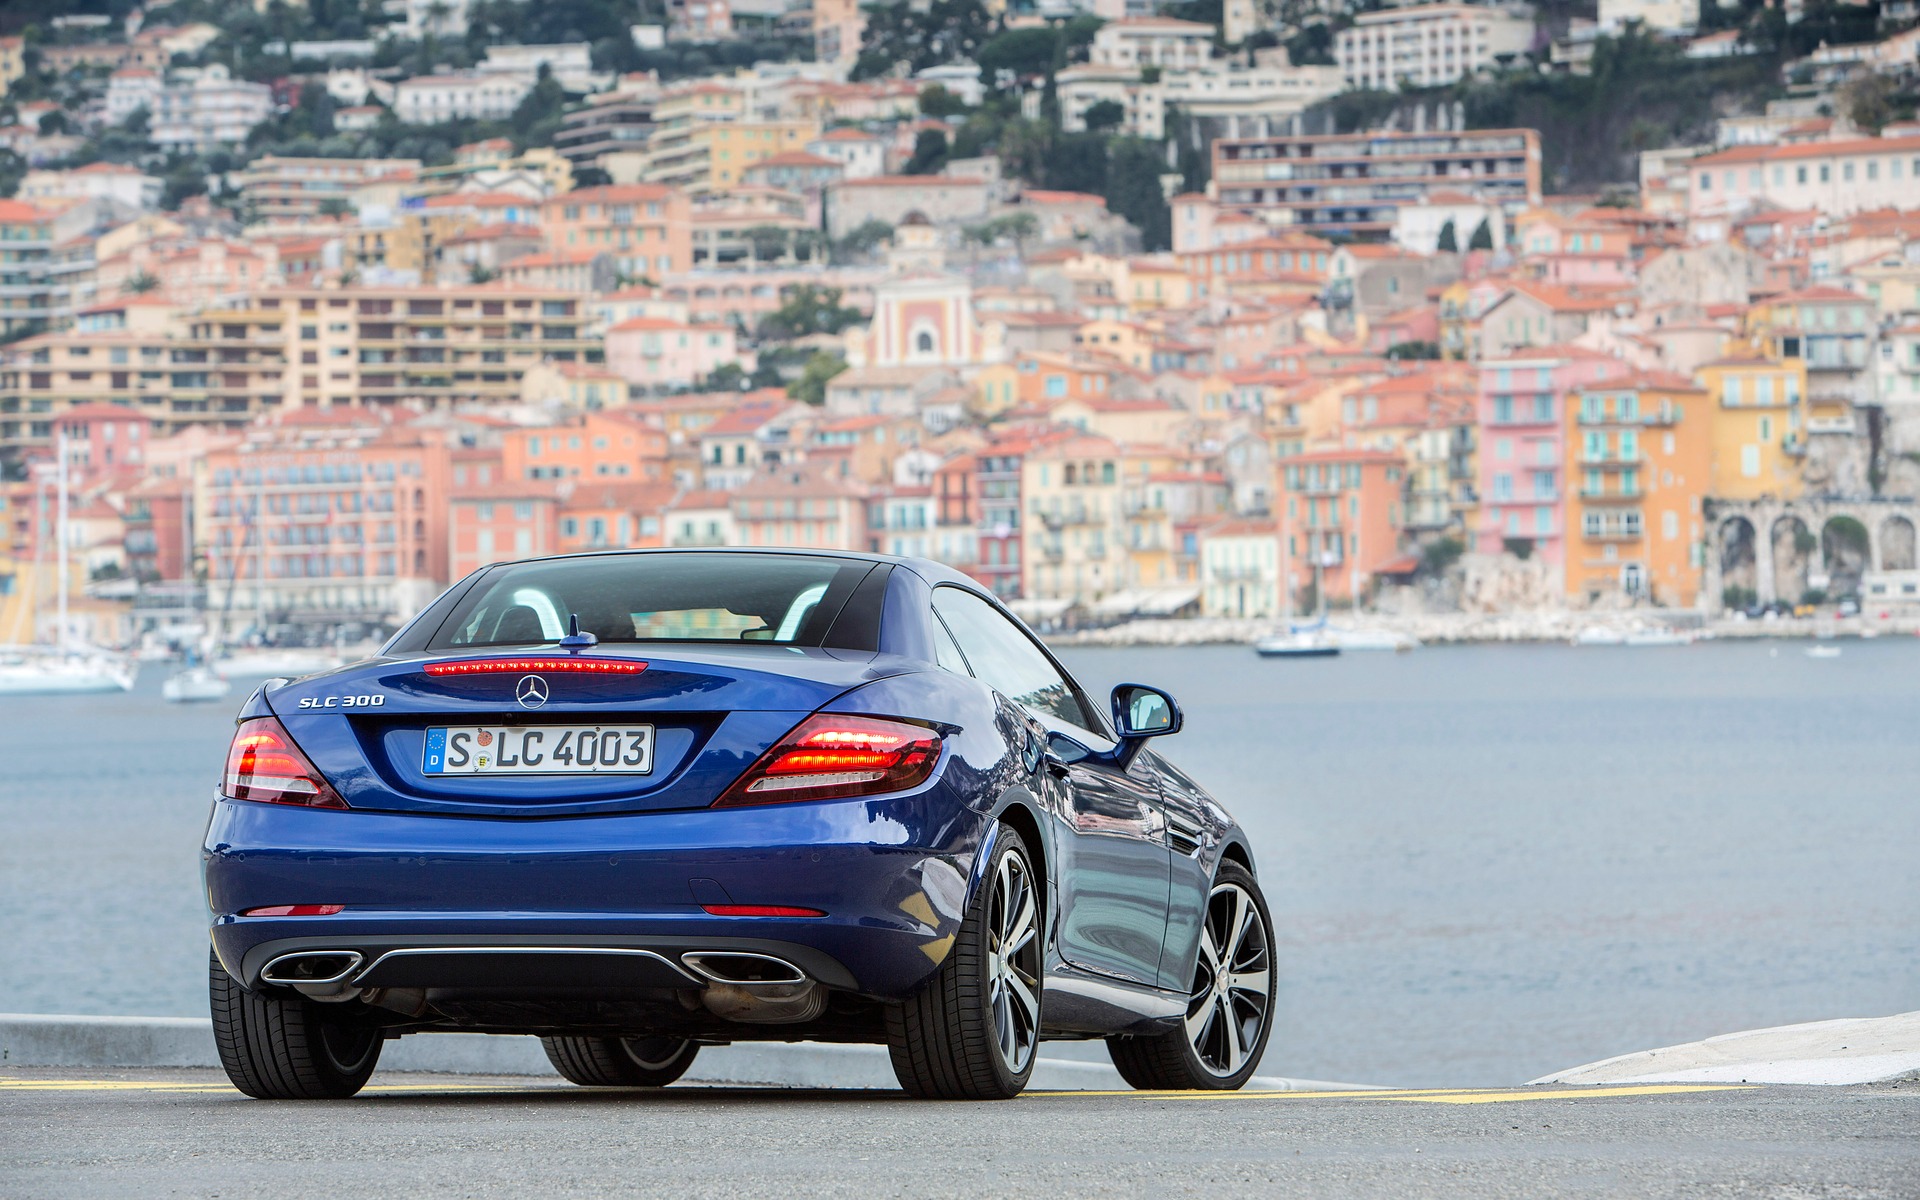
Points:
[(1458, 629)]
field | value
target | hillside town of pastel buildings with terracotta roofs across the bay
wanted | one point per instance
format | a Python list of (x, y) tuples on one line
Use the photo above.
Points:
[(1124, 314)]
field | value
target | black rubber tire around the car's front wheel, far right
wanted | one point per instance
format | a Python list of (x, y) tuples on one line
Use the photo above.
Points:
[(1172, 1061)]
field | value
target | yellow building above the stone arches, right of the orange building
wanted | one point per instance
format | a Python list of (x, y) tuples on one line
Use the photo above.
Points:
[(1760, 427)]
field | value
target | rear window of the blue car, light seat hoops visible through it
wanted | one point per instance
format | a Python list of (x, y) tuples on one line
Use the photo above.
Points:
[(786, 600)]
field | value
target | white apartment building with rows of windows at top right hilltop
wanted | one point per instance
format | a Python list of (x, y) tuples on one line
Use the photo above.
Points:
[(1429, 45)]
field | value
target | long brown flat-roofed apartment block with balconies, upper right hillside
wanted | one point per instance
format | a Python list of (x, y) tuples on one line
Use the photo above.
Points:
[(1358, 183)]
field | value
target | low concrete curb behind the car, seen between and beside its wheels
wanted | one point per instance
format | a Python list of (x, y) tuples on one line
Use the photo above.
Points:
[(76, 1042)]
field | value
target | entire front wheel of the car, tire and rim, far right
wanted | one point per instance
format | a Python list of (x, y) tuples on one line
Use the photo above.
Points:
[(1230, 1011)]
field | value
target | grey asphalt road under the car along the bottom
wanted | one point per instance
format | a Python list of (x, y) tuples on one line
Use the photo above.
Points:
[(187, 1134)]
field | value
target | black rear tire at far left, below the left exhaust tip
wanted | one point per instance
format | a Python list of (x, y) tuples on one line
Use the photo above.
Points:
[(289, 1047)]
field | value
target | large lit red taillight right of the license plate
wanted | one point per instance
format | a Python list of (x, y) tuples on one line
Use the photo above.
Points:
[(838, 757)]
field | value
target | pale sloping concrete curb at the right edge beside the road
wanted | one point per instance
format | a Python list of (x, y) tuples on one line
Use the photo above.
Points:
[(1823, 1053)]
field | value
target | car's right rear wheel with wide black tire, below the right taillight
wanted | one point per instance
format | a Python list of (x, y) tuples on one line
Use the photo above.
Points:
[(951, 1042)]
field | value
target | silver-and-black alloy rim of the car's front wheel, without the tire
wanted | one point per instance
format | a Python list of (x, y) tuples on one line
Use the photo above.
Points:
[(1234, 982)]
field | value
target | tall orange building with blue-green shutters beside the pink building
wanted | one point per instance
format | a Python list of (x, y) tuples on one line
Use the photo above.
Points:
[(1639, 466)]
